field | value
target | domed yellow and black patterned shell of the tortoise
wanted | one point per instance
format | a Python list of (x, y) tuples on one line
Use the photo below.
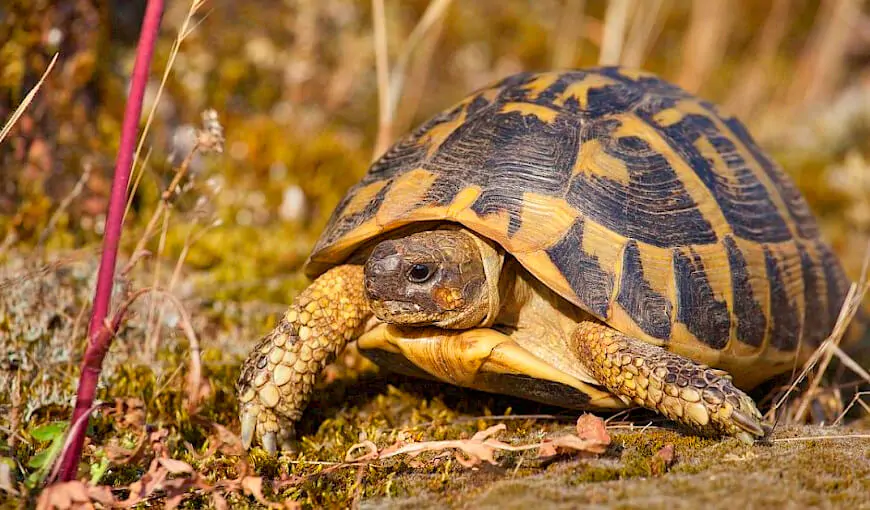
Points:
[(629, 197)]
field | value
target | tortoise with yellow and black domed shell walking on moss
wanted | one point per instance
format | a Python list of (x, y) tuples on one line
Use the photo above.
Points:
[(595, 239)]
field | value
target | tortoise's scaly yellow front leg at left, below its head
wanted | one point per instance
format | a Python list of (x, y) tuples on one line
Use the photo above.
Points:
[(278, 377)]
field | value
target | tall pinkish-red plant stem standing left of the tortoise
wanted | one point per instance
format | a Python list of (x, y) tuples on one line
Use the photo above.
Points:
[(99, 343)]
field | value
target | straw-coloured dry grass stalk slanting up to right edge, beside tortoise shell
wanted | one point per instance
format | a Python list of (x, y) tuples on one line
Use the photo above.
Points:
[(825, 352)]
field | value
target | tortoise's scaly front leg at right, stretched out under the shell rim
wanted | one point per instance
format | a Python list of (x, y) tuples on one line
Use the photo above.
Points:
[(694, 395)]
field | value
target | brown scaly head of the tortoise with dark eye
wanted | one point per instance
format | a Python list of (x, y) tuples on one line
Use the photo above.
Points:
[(446, 278)]
